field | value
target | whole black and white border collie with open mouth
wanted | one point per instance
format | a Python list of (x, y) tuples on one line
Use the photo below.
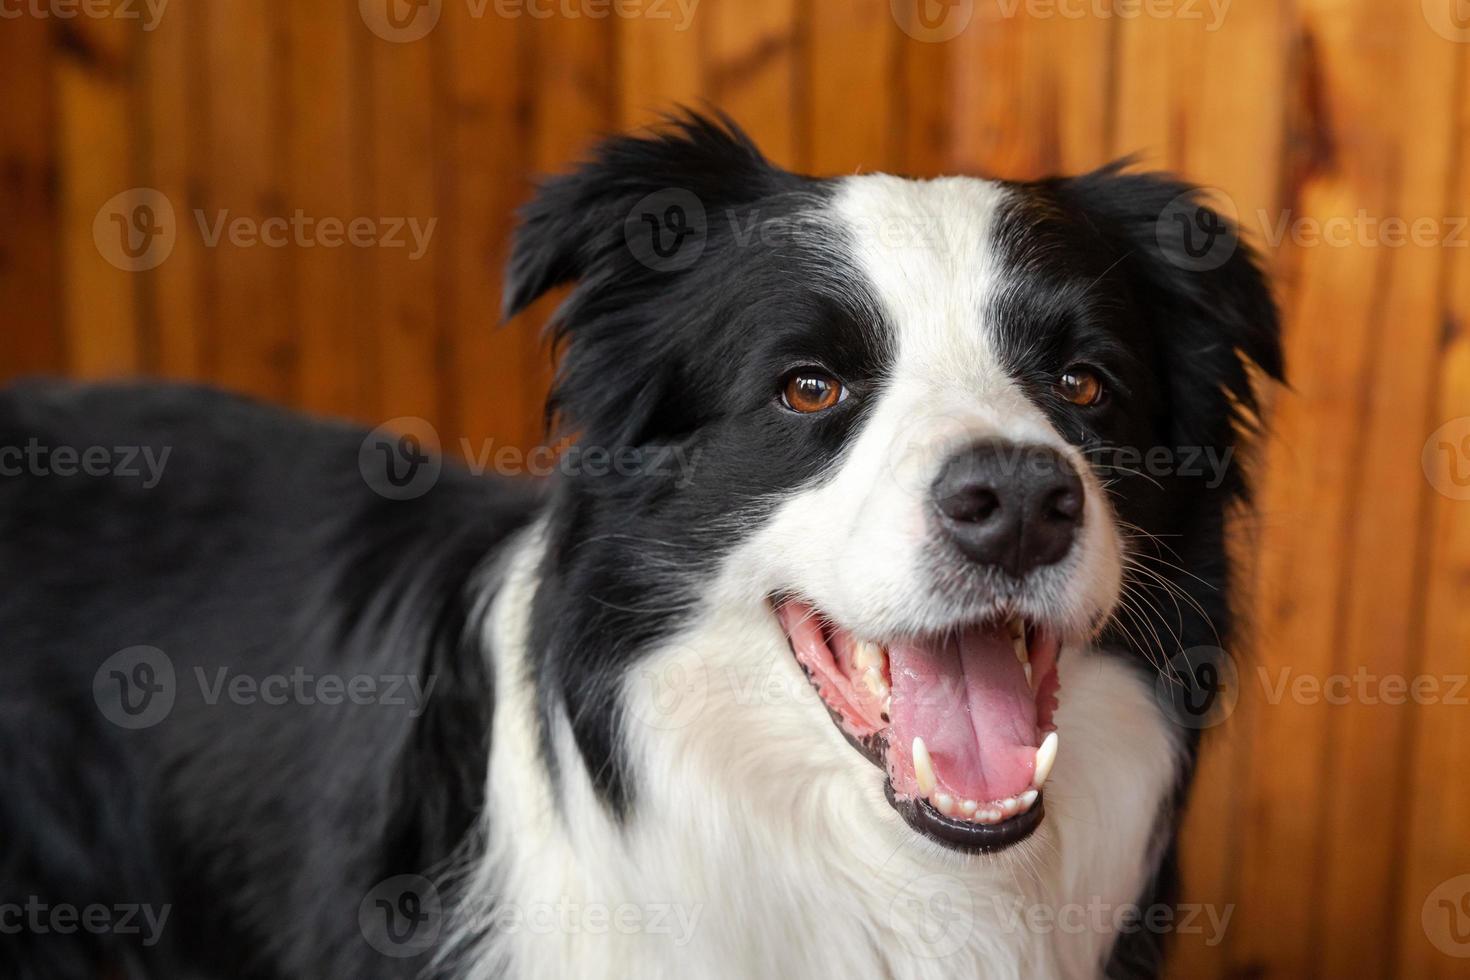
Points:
[(834, 647)]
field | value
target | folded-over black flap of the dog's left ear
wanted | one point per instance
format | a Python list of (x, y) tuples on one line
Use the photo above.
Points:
[(637, 208)]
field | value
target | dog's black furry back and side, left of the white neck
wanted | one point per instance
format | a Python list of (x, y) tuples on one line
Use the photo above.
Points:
[(195, 588)]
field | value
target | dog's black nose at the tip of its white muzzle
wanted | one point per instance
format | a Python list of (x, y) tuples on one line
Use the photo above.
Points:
[(1017, 508)]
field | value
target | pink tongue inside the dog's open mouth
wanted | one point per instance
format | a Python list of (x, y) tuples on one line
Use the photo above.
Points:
[(969, 702)]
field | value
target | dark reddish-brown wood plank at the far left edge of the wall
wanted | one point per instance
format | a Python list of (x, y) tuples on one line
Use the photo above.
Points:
[(30, 265)]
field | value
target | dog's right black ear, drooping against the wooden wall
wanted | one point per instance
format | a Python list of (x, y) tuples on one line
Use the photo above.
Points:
[(1203, 290)]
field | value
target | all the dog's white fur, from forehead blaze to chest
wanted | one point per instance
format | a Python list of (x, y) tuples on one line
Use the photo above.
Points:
[(759, 840)]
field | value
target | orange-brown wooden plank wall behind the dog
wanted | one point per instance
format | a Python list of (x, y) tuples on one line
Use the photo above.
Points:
[(1325, 828)]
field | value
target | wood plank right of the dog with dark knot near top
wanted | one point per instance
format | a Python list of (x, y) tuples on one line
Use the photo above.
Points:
[(1312, 502)]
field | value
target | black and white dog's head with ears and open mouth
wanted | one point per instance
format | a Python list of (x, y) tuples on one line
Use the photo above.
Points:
[(934, 431)]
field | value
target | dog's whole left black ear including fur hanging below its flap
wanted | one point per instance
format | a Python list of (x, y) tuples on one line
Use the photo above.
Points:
[(634, 228)]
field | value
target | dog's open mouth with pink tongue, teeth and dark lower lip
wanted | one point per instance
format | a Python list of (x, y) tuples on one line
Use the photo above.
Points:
[(962, 722)]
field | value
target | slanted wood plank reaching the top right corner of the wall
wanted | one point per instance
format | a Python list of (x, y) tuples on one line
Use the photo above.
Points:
[(1383, 606)]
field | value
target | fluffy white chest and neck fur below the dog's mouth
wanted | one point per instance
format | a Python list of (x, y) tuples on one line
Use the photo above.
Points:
[(771, 851)]
